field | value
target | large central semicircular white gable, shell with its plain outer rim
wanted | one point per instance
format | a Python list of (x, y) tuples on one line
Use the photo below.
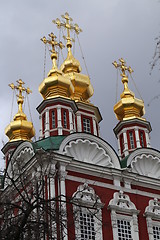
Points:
[(89, 148)]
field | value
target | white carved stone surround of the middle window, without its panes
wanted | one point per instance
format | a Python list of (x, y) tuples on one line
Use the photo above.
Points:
[(121, 205)]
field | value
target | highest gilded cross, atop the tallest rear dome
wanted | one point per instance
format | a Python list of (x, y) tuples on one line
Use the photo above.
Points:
[(67, 24)]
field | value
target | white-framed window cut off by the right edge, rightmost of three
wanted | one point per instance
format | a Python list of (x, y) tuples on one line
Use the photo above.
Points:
[(152, 214)]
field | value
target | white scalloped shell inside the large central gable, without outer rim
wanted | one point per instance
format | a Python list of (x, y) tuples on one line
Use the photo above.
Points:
[(87, 151)]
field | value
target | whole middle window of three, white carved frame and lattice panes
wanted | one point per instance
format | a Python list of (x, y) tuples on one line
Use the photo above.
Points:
[(123, 217)]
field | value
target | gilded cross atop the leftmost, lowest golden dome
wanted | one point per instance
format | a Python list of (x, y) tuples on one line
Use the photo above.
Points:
[(20, 90)]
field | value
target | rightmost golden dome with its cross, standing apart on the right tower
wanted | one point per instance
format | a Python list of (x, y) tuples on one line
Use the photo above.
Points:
[(128, 107)]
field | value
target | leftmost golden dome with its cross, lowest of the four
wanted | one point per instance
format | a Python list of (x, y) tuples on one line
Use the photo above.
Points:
[(20, 128)]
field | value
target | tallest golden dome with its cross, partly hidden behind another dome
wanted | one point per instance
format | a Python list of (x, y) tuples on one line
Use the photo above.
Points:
[(71, 68)]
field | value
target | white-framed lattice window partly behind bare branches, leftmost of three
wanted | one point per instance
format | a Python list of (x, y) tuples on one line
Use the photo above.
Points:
[(87, 214)]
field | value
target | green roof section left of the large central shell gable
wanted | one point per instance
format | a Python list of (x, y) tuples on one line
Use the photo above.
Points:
[(48, 143)]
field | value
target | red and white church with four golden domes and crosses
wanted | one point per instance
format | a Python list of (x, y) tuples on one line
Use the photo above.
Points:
[(115, 195)]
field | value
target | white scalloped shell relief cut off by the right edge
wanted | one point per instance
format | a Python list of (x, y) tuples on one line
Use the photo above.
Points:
[(146, 165)]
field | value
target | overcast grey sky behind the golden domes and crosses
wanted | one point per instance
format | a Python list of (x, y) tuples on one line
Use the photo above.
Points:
[(111, 29)]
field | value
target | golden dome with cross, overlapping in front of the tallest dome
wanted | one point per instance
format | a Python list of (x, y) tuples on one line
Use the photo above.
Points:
[(55, 84)]
